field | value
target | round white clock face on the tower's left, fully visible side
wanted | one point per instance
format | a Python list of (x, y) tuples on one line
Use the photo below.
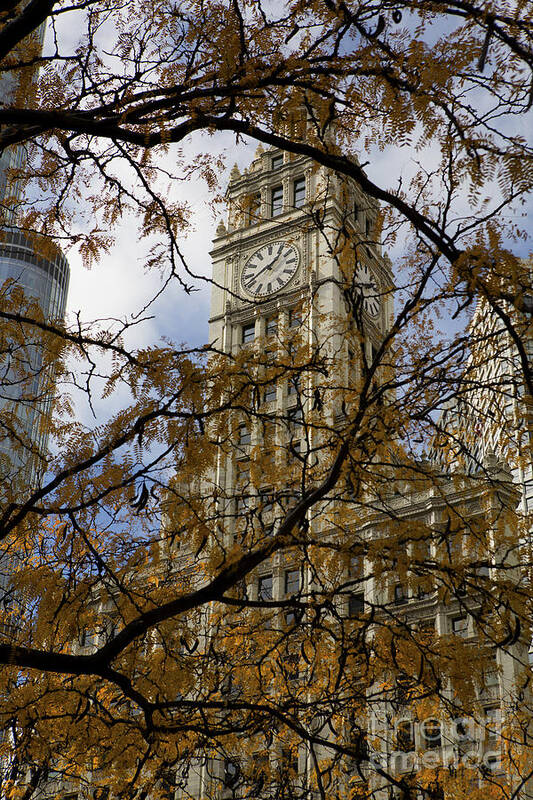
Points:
[(270, 268)]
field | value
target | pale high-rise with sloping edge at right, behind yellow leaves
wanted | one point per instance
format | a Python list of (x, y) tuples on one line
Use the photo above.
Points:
[(492, 412)]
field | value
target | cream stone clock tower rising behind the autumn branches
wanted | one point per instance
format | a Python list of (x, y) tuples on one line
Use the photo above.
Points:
[(298, 263)]
